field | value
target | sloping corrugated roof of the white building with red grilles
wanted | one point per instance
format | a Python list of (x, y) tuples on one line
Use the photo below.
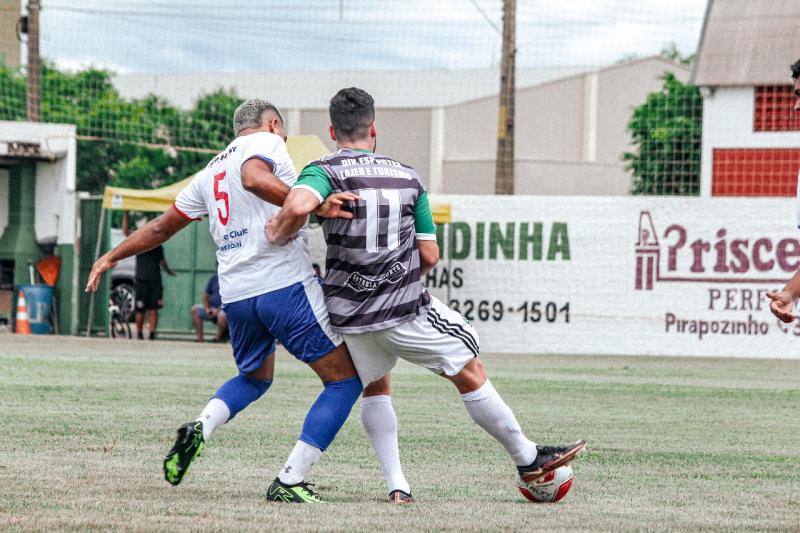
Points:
[(748, 42)]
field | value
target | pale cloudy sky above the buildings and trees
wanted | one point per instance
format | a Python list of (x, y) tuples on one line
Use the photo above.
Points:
[(201, 36)]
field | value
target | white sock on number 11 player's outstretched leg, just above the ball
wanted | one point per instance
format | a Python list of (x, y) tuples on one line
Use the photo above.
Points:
[(489, 411)]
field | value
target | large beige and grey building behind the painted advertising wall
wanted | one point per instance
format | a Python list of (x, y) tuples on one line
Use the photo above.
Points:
[(571, 124)]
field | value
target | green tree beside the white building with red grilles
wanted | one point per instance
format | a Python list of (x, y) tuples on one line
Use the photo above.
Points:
[(666, 131)]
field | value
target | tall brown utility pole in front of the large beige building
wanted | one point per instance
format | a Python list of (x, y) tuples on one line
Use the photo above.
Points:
[(504, 170)]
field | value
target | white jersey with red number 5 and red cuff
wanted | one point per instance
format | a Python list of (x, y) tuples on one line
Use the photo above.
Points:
[(248, 264)]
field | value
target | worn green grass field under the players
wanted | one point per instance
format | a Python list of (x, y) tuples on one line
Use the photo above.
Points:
[(674, 444)]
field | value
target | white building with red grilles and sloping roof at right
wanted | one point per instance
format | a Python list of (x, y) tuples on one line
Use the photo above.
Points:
[(751, 136)]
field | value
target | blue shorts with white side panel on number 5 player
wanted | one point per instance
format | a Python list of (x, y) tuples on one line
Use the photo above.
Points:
[(295, 315)]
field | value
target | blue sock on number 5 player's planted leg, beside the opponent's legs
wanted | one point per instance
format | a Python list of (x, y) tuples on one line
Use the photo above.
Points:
[(329, 412)]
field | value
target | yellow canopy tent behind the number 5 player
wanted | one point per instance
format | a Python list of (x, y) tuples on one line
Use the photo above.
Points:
[(302, 149)]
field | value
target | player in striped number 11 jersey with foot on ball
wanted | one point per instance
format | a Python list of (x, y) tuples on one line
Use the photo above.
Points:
[(375, 297)]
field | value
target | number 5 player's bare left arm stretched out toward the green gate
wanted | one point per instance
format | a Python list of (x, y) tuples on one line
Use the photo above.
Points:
[(155, 232)]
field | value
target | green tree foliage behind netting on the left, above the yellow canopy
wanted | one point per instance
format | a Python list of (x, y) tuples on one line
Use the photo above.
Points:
[(114, 132)]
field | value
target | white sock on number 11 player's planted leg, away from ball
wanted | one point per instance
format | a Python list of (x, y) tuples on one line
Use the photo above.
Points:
[(380, 422)]
